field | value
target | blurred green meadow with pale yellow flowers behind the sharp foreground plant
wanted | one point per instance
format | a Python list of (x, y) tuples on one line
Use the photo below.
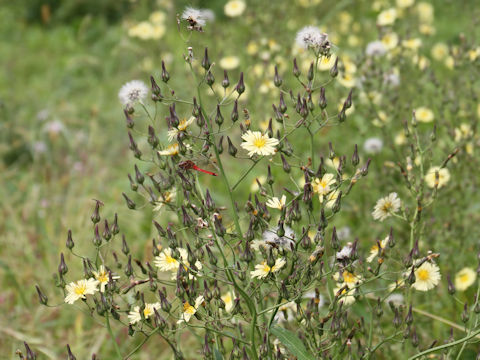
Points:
[(63, 141)]
